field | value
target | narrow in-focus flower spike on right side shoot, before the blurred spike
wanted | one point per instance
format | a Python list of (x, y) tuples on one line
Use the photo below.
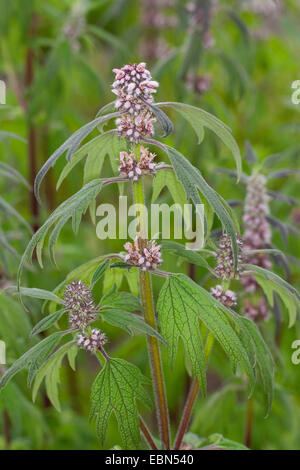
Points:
[(225, 258)]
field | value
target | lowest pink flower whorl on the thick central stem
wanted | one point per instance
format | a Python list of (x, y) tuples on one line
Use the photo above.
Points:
[(145, 258)]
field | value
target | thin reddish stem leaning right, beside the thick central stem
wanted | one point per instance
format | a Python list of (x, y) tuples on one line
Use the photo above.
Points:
[(192, 395)]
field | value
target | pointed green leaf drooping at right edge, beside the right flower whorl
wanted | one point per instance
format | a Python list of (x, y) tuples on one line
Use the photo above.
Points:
[(269, 282)]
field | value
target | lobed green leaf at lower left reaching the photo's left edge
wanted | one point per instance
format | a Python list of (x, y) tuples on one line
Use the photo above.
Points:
[(32, 359)]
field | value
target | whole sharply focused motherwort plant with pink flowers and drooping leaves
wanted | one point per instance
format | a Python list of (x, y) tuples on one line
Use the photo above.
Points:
[(183, 311)]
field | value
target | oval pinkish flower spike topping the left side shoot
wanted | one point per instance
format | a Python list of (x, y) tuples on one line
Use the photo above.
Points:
[(79, 304)]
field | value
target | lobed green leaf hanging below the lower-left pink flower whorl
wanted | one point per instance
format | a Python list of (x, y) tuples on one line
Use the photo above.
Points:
[(50, 372)]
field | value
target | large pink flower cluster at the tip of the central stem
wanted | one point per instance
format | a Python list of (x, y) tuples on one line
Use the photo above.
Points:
[(134, 88)]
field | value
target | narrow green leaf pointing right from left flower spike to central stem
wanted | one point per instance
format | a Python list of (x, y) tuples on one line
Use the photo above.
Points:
[(127, 321)]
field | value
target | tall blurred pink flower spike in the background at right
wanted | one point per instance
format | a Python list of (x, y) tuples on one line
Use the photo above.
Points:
[(257, 234)]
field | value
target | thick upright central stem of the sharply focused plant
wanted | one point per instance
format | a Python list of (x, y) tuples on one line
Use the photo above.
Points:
[(149, 315)]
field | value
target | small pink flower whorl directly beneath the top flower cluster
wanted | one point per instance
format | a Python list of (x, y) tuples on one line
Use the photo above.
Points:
[(133, 169)]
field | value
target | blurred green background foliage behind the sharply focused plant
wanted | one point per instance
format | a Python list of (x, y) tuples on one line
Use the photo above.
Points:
[(56, 59)]
